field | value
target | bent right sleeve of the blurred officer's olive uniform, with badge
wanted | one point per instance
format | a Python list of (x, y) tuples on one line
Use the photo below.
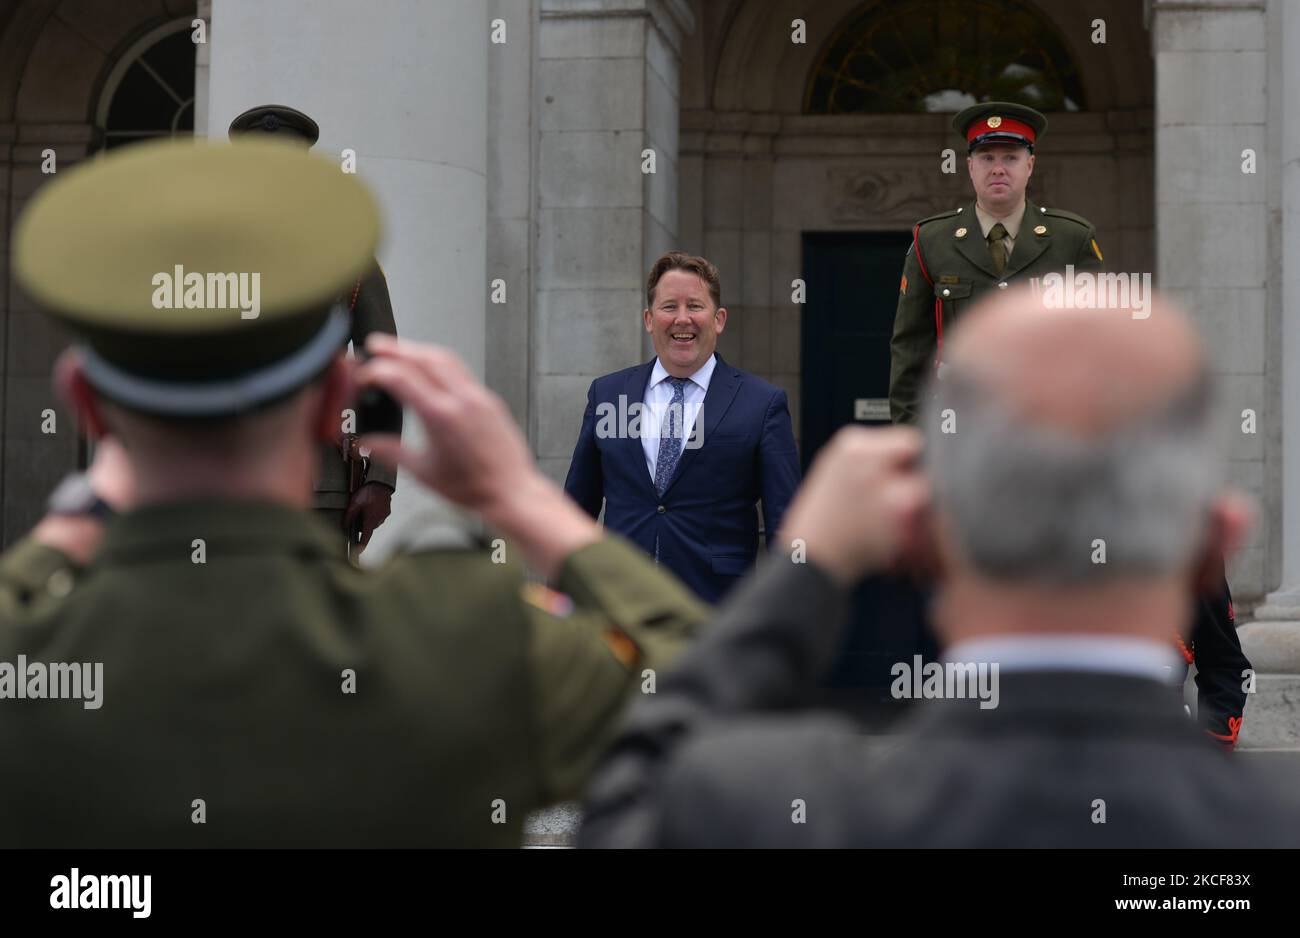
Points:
[(627, 616)]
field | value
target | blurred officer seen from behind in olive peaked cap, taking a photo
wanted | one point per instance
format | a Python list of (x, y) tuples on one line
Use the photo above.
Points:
[(227, 676)]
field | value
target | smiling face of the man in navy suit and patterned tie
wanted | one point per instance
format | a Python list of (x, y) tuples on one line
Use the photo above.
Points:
[(684, 323)]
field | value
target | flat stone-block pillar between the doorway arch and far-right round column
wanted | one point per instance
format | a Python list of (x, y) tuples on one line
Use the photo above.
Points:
[(1216, 232)]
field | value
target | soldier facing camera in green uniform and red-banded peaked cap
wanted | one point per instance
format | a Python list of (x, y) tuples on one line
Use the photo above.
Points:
[(985, 245)]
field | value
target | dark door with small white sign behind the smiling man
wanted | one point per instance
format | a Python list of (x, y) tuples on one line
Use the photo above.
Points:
[(848, 319)]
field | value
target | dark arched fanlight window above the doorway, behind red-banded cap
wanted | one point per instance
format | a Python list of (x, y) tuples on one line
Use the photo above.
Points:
[(916, 57)]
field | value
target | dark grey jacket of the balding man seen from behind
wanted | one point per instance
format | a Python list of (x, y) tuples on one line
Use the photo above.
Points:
[(723, 755)]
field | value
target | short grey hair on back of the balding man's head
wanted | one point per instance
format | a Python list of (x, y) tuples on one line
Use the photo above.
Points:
[(1033, 503)]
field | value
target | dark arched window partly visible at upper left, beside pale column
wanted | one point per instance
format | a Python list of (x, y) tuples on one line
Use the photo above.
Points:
[(150, 93)]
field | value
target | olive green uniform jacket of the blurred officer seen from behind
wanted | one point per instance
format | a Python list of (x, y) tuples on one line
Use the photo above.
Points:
[(255, 681)]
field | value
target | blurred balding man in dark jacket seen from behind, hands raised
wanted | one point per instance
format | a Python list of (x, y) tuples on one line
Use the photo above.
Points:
[(1077, 737)]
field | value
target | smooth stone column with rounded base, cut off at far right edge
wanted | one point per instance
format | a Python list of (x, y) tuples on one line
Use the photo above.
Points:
[(1272, 640)]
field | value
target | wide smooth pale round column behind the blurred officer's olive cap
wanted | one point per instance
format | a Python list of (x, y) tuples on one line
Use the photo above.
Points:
[(404, 84)]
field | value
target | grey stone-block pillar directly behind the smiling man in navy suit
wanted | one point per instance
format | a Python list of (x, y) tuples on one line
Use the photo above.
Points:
[(608, 86)]
